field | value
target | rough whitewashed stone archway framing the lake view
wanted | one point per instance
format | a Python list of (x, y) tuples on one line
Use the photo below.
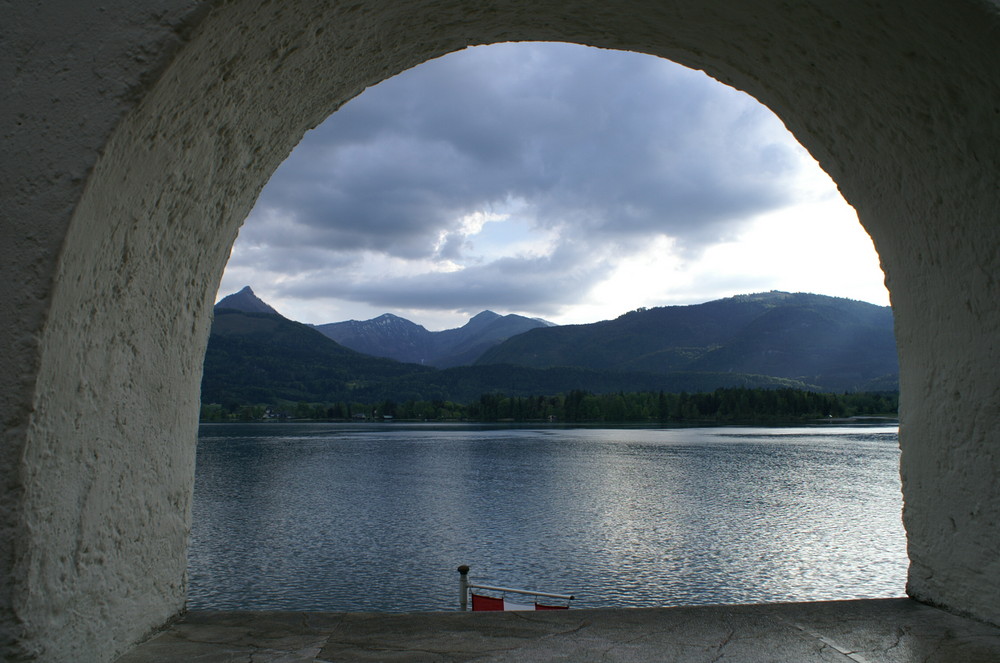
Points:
[(139, 138)]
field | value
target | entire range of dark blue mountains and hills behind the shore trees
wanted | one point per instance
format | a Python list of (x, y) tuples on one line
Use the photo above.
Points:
[(772, 339)]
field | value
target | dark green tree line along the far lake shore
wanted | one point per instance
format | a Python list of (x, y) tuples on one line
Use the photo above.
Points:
[(725, 405)]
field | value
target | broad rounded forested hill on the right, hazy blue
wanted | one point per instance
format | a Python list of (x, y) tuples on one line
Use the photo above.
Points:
[(832, 343)]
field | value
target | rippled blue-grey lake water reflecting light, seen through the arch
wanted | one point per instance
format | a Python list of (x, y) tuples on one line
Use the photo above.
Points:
[(354, 517)]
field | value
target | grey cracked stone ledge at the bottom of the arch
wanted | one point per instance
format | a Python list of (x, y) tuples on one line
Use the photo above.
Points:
[(872, 631)]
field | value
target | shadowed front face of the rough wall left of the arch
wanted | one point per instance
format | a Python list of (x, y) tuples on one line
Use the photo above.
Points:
[(68, 74)]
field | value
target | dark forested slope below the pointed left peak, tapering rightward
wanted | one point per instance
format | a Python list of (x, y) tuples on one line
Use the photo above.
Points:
[(265, 358)]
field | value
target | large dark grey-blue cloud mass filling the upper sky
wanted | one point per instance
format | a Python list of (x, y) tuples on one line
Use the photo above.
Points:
[(601, 148)]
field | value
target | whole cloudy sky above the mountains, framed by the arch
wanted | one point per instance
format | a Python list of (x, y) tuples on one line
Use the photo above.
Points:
[(550, 180)]
